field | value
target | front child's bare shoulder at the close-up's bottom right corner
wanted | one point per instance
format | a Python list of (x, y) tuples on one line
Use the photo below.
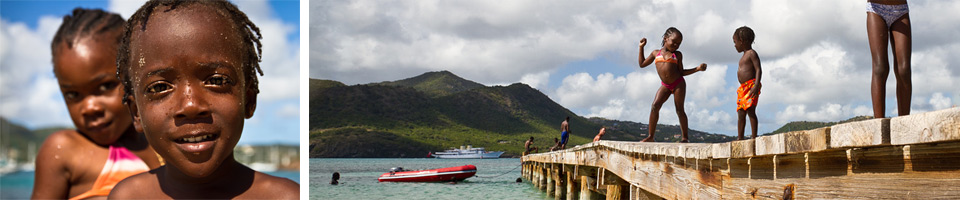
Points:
[(272, 187)]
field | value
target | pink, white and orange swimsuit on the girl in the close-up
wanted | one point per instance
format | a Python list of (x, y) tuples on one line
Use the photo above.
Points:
[(121, 164)]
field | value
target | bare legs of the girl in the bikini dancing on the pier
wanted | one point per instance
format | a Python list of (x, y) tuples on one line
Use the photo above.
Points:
[(662, 94)]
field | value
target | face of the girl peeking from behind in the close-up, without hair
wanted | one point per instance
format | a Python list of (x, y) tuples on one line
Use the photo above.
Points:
[(87, 75)]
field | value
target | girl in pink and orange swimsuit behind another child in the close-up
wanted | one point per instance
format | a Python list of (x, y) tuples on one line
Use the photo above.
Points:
[(105, 148)]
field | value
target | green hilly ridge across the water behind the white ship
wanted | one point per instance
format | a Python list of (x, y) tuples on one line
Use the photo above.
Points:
[(439, 110)]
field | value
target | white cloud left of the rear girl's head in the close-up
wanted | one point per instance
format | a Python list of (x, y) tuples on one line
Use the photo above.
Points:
[(29, 91)]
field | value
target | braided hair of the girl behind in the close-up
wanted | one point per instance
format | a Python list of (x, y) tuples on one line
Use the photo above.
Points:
[(82, 23)]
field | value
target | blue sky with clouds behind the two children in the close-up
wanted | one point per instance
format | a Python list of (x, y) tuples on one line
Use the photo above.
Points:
[(29, 91)]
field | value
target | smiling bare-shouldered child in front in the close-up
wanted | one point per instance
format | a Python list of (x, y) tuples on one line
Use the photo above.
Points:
[(190, 72)]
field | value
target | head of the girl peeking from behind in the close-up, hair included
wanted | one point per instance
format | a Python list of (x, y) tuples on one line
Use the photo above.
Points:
[(84, 51)]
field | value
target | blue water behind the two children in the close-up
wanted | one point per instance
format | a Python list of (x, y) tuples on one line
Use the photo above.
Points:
[(19, 185)]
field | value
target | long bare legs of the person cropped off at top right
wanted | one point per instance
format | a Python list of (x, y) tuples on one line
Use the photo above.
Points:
[(900, 37)]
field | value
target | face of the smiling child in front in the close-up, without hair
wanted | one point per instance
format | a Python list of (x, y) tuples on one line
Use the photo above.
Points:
[(190, 95)]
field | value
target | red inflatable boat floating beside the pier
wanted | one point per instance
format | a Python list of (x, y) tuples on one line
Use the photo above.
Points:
[(431, 175)]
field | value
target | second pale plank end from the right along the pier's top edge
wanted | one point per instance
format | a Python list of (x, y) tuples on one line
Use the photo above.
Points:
[(860, 134)]
